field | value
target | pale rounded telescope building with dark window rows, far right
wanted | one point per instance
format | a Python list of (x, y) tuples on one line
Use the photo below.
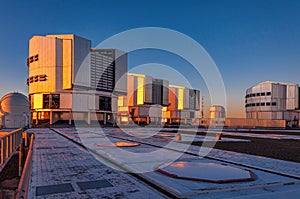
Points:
[(273, 101)]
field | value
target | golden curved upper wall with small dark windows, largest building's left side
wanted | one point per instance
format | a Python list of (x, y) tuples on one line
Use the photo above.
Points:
[(48, 61)]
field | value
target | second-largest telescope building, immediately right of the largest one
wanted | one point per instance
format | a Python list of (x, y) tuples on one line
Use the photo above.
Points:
[(146, 99)]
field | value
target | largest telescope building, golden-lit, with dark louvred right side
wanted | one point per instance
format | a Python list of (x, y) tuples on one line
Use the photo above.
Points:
[(68, 80)]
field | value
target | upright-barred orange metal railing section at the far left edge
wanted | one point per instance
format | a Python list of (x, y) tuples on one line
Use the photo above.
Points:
[(8, 146)]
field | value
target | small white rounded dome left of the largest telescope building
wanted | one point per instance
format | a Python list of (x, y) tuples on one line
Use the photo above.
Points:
[(14, 103)]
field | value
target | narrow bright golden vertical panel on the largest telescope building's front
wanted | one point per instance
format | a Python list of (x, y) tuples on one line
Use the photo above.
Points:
[(67, 64)]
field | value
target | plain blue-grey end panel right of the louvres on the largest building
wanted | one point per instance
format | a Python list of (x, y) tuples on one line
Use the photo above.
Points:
[(121, 61)]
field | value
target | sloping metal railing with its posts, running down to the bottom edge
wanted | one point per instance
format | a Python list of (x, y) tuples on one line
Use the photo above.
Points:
[(23, 185)]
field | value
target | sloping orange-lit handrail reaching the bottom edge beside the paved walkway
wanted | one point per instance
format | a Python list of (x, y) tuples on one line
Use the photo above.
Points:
[(23, 185)]
